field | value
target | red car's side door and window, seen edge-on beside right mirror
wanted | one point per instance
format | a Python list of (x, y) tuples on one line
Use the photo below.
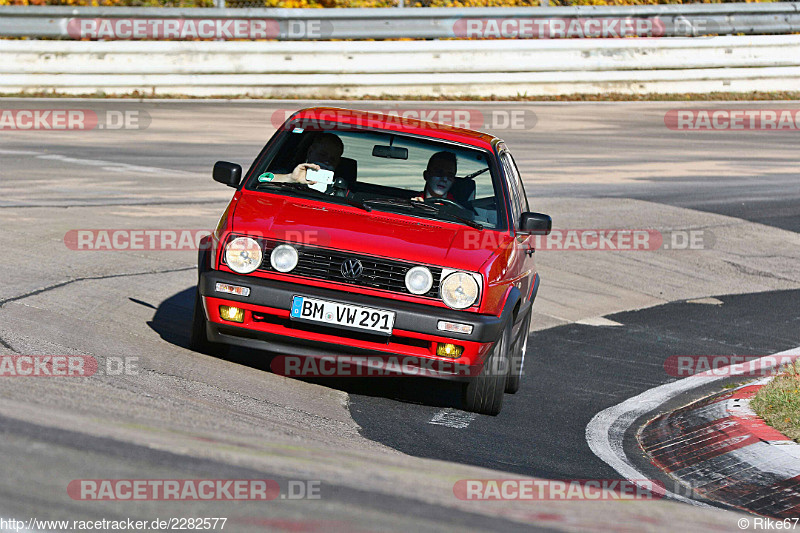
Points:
[(522, 242)]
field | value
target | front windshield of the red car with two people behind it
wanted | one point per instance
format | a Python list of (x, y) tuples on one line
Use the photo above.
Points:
[(390, 172)]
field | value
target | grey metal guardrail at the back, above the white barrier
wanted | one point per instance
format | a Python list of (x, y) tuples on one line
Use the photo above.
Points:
[(420, 23)]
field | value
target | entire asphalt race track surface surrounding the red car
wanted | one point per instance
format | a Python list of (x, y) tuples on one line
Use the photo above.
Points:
[(191, 416)]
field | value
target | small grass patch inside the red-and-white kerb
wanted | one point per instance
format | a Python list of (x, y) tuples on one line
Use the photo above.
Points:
[(778, 402)]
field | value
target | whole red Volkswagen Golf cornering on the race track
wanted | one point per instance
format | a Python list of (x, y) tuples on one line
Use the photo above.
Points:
[(358, 233)]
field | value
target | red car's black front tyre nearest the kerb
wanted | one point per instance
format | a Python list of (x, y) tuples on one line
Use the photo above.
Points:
[(484, 394)]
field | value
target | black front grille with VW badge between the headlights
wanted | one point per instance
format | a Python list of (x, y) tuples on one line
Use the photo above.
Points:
[(326, 264)]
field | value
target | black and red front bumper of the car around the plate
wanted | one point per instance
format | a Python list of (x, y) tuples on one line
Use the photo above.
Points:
[(267, 325)]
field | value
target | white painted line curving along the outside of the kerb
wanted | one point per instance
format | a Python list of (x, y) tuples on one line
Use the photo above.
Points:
[(607, 428)]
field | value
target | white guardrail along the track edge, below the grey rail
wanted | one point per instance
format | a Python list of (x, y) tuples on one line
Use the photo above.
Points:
[(337, 69)]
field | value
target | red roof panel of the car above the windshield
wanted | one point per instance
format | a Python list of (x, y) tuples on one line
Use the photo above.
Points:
[(375, 120)]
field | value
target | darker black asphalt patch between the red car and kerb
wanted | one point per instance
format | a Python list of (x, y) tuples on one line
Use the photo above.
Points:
[(574, 375)]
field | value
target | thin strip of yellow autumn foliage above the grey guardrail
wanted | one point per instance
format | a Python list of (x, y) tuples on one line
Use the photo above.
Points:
[(339, 3)]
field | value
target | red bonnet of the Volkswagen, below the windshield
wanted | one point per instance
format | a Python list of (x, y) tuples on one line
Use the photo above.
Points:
[(377, 233)]
